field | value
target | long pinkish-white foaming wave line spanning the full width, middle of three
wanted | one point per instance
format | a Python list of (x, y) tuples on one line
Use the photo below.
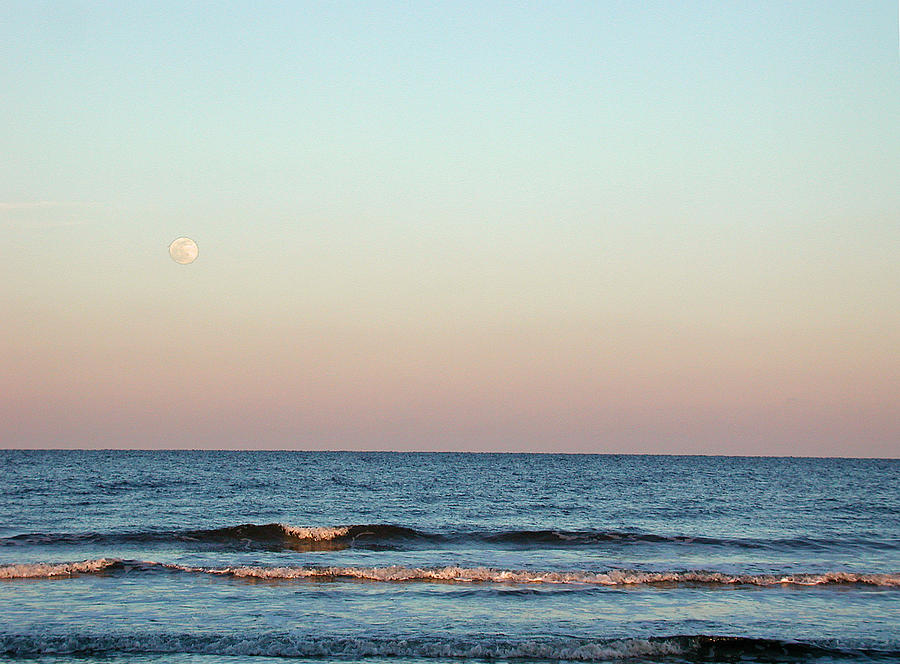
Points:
[(451, 574)]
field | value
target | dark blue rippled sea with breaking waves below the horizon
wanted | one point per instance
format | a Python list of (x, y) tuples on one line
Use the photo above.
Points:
[(225, 556)]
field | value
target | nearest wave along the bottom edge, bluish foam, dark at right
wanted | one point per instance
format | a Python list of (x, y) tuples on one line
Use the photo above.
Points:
[(666, 648)]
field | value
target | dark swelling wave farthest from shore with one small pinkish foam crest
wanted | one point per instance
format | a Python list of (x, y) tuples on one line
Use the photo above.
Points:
[(285, 536)]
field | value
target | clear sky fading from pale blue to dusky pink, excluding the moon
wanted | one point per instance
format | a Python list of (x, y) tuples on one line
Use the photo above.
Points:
[(613, 227)]
